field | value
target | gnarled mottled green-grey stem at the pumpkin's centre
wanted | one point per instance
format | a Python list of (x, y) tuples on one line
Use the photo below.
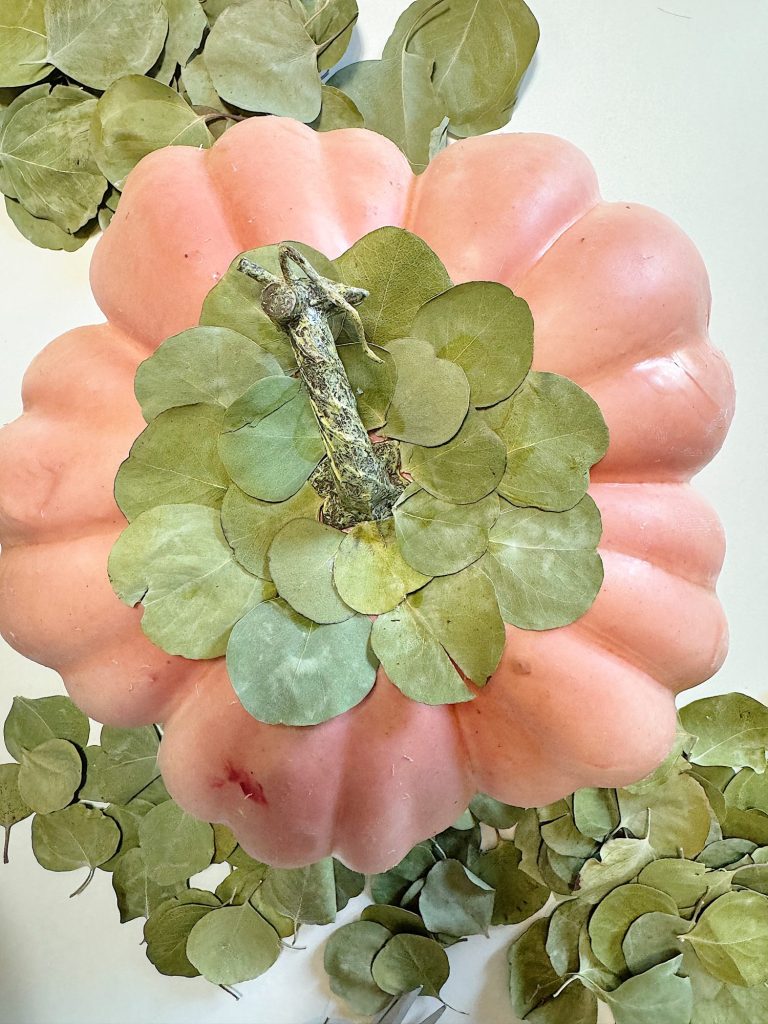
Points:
[(359, 480)]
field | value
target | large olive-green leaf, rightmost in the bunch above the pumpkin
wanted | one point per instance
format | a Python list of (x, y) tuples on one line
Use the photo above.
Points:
[(481, 50)]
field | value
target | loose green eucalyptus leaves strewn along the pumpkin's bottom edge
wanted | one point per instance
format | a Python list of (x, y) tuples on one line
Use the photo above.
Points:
[(655, 898)]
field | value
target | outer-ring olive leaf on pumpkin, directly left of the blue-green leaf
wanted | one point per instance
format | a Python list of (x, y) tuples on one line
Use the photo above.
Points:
[(175, 461)]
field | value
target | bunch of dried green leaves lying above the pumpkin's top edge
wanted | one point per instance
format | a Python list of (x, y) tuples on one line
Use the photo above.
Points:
[(88, 89)]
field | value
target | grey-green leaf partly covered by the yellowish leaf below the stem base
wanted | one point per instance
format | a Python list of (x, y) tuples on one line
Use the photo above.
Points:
[(302, 564)]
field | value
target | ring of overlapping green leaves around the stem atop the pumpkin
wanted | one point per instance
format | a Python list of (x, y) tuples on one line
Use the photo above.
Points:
[(225, 547)]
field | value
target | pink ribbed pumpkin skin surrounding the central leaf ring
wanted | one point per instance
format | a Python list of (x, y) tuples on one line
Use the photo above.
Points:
[(621, 305)]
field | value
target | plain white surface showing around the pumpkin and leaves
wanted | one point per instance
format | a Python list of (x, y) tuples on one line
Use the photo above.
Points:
[(671, 104)]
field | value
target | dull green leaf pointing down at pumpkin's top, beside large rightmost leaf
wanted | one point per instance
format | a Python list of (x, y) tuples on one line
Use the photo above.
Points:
[(397, 99)]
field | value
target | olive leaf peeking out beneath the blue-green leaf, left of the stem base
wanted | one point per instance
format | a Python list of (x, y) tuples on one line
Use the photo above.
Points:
[(250, 526)]
